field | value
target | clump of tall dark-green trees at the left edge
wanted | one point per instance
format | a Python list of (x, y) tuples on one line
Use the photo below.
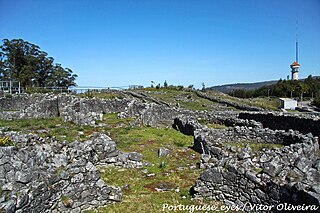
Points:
[(27, 63)]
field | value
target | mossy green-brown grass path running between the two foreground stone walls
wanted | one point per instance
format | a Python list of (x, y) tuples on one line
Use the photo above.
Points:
[(178, 169)]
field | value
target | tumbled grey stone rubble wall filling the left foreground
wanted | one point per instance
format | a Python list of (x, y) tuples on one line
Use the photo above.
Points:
[(42, 174)]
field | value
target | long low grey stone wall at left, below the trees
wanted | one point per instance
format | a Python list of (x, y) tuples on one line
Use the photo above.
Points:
[(84, 111)]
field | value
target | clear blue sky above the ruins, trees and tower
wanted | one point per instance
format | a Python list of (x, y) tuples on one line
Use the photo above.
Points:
[(123, 42)]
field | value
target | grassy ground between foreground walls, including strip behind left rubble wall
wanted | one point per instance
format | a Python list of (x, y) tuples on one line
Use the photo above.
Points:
[(178, 171)]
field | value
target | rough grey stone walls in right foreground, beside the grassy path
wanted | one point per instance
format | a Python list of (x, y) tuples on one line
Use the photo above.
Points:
[(238, 175)]
